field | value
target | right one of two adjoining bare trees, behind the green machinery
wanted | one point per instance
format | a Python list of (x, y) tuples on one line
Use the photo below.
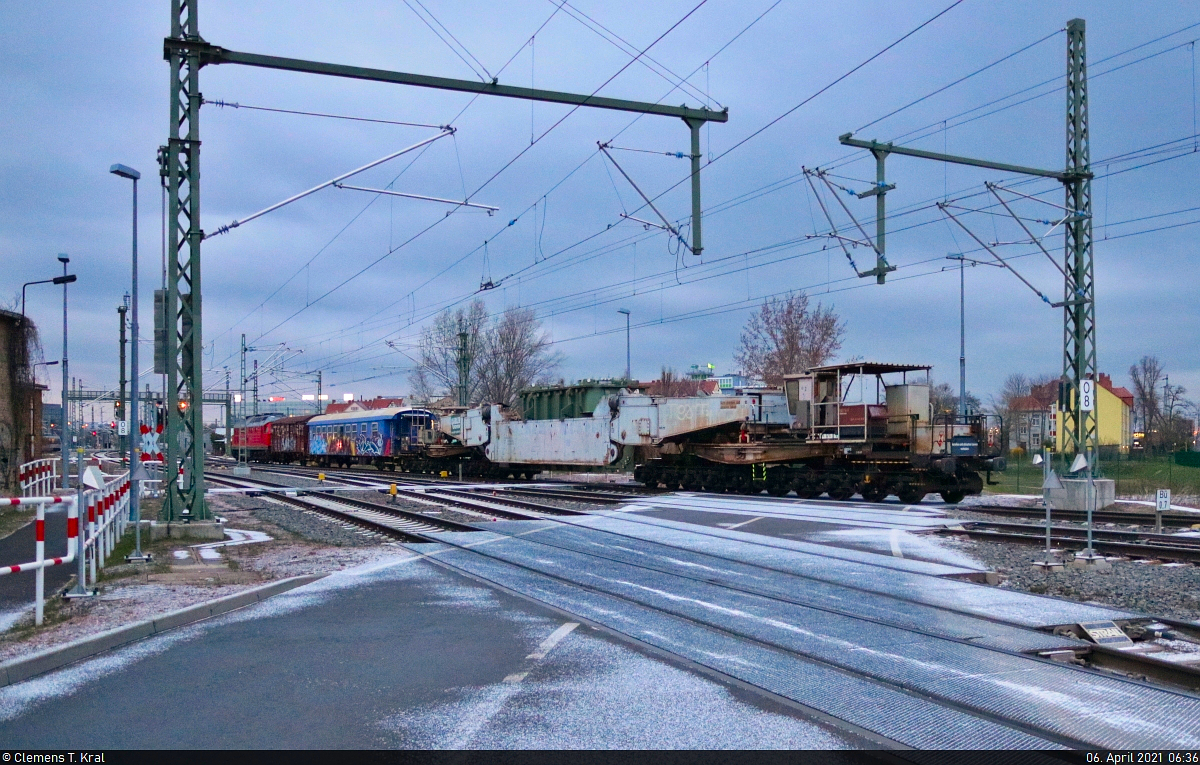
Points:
[(517, 354)]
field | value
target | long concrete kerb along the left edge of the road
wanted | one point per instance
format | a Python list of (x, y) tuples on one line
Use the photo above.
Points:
[(52, 659)]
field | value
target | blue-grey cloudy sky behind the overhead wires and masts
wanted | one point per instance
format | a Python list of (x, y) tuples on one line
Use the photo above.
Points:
[(345, 280)]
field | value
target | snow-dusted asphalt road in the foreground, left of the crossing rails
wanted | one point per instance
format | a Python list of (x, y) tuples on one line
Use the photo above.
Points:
[(409, 656)]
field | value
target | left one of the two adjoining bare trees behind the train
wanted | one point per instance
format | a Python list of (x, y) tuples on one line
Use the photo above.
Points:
[(437, 370)]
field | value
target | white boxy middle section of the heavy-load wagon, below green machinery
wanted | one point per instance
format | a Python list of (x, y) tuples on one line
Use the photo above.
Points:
[(575, 442)]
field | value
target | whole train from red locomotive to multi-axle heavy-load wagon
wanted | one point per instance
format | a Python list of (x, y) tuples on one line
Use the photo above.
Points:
[(842, 430)]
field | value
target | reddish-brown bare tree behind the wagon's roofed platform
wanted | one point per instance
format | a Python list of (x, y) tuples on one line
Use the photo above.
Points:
[(787, 336)]
